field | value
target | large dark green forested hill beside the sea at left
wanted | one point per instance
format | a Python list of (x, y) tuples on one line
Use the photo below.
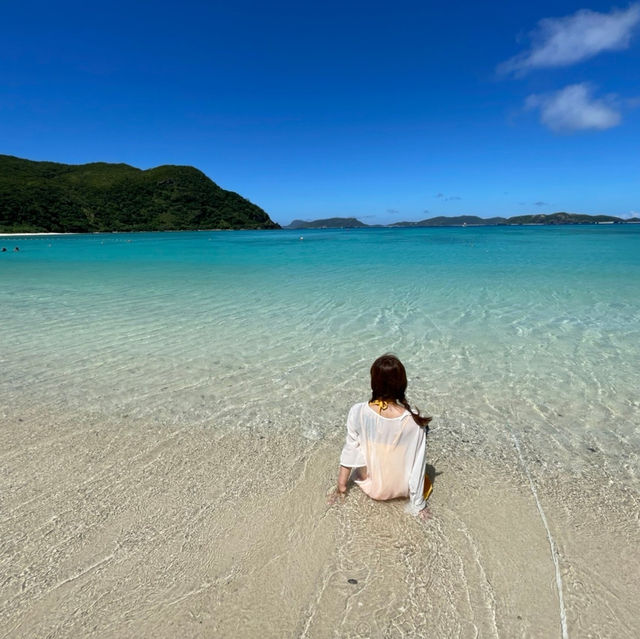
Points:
[(100, 197)]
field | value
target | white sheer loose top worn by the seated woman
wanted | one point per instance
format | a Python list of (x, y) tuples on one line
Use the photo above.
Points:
[(392, 449)]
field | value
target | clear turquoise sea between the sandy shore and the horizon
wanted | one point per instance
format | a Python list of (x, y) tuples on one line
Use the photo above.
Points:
[(527, 330)]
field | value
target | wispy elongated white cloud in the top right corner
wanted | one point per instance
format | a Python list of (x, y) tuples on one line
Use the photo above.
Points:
[(558, 42)]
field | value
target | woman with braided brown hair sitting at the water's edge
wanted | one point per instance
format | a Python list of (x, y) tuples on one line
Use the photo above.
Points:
[(386, 442)]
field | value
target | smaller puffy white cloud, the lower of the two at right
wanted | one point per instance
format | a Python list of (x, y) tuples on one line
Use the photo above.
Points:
[(574, 109)]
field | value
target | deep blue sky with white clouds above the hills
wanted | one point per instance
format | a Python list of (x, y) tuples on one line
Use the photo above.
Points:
[(385, 111)]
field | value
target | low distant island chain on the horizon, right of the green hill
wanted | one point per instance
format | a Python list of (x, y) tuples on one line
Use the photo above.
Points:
[(470, 220)]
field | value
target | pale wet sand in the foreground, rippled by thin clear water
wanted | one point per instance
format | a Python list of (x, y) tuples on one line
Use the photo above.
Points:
[(126, 528)]
